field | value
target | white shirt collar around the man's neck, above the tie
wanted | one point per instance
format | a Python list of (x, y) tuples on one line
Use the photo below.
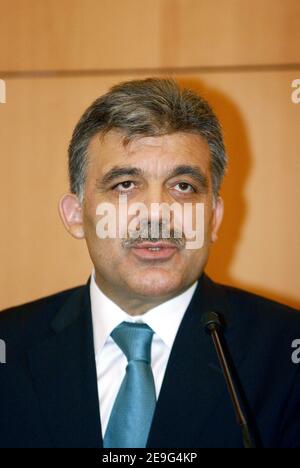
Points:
[(164, 319)]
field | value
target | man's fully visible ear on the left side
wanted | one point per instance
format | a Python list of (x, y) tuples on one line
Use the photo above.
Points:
[(70, 211)]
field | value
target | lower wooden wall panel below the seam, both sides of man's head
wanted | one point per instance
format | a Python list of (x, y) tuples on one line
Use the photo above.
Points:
[(259, 243)]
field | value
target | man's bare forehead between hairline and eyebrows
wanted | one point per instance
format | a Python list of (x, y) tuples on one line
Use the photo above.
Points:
[(159, 153)]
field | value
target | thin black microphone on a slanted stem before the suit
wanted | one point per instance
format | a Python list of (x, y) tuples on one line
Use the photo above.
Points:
[(213, 326)]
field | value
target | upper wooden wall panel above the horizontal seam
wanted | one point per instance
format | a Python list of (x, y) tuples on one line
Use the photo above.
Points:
[(125, 34)]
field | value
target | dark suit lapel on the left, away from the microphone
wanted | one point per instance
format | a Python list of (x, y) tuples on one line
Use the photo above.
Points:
[(64, 374)]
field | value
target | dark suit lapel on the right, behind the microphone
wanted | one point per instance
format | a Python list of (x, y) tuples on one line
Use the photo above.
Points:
[(193, 384)]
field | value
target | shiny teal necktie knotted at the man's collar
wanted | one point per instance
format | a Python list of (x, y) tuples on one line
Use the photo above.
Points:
[(130, 420)]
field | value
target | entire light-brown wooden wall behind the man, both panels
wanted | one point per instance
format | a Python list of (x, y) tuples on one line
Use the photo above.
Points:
[(59, 55)]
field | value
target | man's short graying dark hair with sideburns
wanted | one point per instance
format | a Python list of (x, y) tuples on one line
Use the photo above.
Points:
[(150, 107)]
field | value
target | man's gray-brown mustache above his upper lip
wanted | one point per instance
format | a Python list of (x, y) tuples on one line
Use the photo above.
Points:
[(154, 232)]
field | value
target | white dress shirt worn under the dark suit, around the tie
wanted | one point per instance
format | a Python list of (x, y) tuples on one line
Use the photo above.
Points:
[(111, 363)]
